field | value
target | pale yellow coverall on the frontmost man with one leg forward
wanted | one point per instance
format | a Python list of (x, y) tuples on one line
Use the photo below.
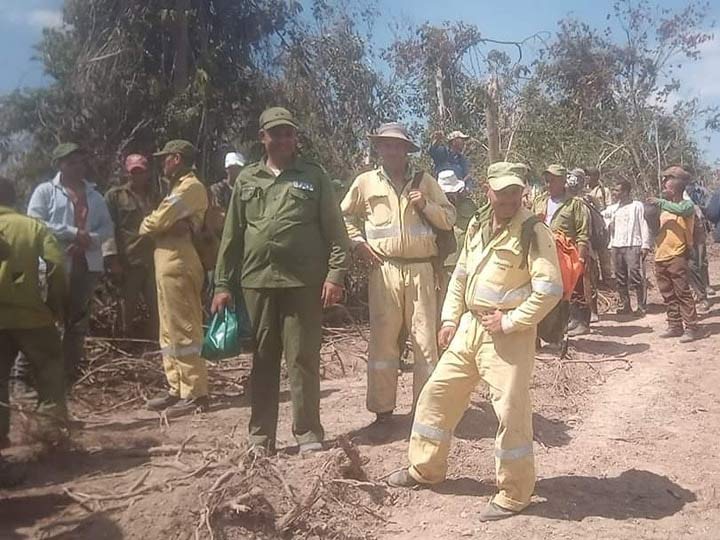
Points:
[(492, 273)]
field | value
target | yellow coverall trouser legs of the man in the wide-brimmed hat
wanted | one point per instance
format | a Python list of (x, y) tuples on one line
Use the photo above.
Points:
[(402, 299)]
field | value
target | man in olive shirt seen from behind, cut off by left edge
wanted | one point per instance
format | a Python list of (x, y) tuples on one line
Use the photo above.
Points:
[(32, 293)]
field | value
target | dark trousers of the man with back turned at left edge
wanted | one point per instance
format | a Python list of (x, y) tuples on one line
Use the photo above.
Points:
[(44, 352)]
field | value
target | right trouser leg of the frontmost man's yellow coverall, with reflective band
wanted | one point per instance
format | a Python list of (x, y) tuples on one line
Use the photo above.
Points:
[(506, 365)]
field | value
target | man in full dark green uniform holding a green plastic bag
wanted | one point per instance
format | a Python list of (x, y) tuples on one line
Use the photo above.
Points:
[(285, 249)]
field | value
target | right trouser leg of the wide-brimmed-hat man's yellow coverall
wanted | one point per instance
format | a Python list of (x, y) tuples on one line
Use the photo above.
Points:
[(421, 315)]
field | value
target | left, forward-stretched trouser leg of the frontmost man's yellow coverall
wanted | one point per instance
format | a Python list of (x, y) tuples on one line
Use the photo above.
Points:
[(442, 404)]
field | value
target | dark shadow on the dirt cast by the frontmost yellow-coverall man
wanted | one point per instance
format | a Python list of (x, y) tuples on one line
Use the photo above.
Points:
[(635, 494)]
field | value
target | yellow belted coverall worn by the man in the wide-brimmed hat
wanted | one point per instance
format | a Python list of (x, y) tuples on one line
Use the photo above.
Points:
[(402, 292)]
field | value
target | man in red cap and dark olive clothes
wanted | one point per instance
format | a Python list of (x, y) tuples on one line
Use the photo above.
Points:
[(129, 255)]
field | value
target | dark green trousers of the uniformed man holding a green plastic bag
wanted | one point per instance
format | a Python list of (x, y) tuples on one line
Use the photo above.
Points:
[(285, 320)]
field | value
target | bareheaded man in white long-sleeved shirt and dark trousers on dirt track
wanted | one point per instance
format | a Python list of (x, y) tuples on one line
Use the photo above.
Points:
[(629, 244)]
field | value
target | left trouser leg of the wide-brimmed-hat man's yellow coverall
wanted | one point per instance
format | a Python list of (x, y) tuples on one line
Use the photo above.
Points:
[(386, 302)]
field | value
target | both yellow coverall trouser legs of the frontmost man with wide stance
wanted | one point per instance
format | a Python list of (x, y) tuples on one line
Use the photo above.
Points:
[(505, 364)]
